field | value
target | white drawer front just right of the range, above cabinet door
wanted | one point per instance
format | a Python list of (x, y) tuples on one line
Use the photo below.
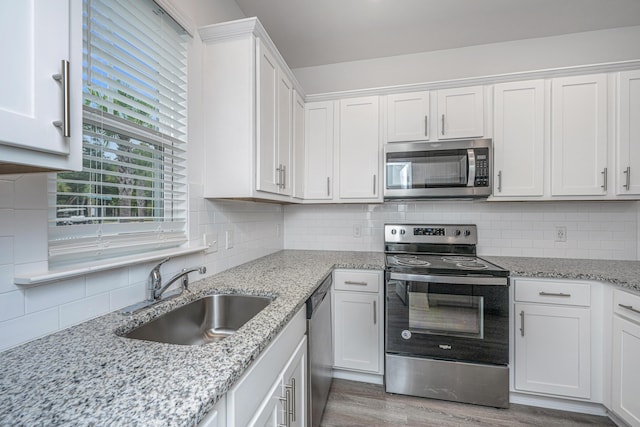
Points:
[(552, 292)]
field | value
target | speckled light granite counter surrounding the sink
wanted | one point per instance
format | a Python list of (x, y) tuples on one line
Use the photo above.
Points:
[(88, 375)]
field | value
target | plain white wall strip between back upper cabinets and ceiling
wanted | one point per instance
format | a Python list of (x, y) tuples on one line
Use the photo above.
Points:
[(586, 48)]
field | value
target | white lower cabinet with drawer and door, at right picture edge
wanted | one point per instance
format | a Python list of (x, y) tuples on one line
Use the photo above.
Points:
[(625, 378)]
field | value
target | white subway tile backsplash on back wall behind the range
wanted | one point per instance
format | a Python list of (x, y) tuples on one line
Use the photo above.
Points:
[(602, 230)]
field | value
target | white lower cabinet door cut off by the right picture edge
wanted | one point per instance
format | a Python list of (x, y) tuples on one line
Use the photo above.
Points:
[(625, 393)]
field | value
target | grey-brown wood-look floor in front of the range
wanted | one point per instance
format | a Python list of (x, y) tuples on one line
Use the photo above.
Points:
[(359, 404)]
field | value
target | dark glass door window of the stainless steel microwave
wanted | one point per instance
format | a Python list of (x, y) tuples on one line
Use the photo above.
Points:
[(427, 169)]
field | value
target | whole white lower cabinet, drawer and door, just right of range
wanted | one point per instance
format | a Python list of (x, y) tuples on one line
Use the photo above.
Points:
[(553, 338)]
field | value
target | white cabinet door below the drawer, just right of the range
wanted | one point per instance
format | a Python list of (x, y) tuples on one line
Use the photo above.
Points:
[(552, 350)]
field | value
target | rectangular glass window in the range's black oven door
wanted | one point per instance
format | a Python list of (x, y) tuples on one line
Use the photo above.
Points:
[(446, 314)]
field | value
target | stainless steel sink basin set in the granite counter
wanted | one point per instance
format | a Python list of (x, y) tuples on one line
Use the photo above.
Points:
[(202, 321)]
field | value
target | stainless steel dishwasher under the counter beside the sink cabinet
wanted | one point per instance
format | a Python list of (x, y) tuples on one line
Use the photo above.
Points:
[(320, 346)]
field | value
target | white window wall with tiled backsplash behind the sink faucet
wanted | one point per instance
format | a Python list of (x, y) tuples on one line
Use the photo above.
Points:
[(30, 312)]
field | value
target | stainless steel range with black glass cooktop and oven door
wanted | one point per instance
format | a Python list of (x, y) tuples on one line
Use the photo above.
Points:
[(447, 316)]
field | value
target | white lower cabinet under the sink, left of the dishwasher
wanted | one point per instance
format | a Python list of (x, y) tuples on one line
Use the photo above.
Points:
[(273, 390)]
